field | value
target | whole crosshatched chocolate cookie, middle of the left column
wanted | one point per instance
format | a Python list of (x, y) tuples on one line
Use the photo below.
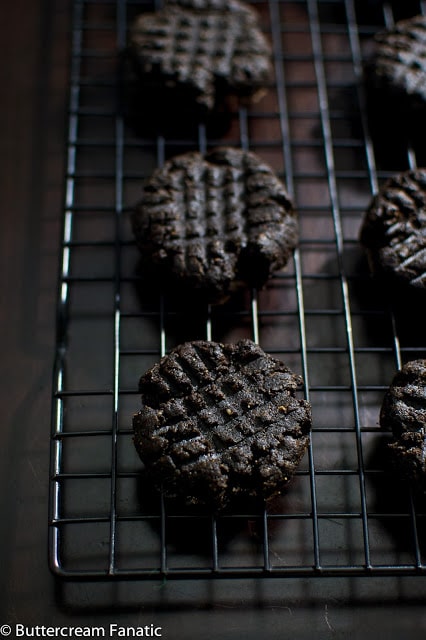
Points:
[(214, 223)]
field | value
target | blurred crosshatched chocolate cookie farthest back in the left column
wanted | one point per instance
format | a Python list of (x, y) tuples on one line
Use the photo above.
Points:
[(198, 53)]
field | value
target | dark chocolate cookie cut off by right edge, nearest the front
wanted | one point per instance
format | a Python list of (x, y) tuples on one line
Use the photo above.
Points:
[(404, 412)]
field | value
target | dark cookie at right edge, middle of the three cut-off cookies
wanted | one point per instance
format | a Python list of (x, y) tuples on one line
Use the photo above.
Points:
[(394, 231)]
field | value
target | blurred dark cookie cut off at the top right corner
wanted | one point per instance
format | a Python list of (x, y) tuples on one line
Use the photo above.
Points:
[(398, 64)]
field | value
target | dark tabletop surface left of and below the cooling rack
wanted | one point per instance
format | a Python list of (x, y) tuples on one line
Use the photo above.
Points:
[(33, 116)]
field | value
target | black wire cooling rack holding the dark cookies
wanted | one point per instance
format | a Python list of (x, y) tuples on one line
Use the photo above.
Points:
[(345, 513)]
